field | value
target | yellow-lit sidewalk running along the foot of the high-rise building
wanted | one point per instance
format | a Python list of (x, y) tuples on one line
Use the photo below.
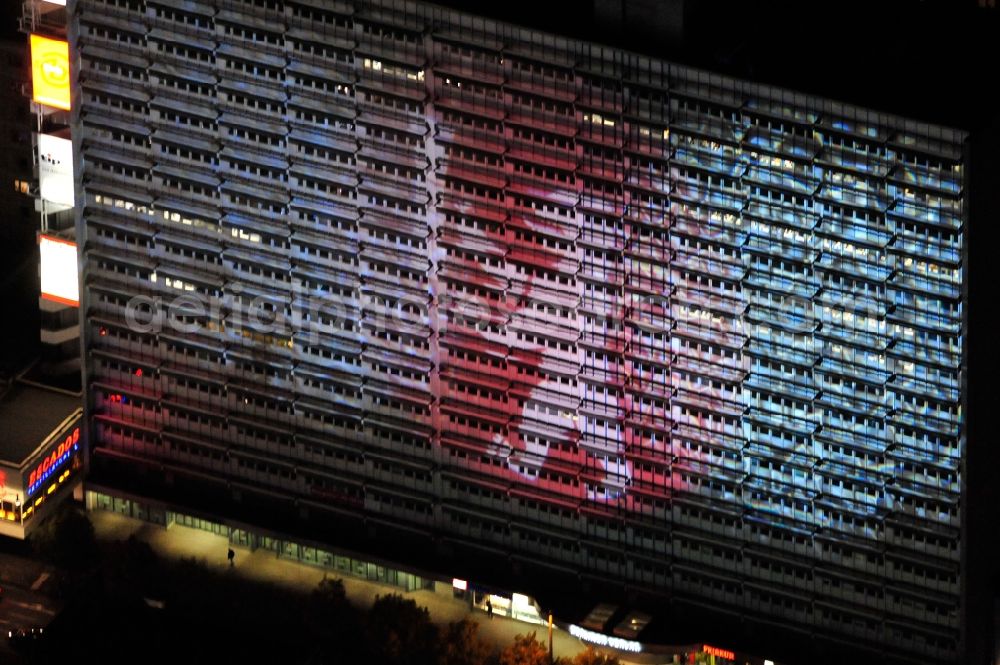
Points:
[(185, 542)]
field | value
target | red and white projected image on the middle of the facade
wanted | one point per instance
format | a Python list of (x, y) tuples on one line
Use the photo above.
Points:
[(575, 392)]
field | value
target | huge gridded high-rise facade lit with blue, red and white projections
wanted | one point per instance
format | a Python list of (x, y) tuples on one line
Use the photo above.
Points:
[(602, 312)]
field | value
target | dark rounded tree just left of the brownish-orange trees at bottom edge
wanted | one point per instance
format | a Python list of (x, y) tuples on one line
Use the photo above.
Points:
[(399, 632)]
